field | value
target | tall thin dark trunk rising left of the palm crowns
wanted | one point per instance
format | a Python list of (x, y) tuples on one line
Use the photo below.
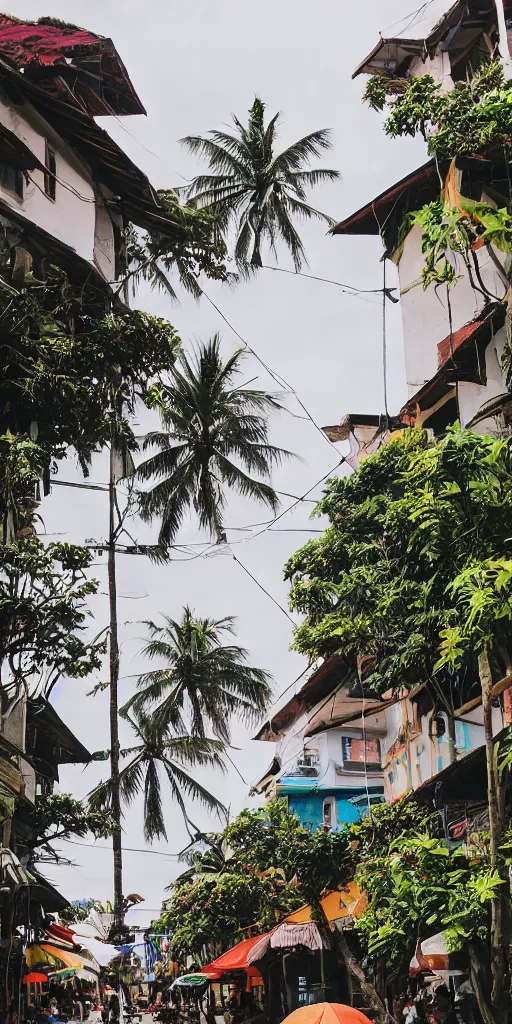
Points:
[(114, 680)]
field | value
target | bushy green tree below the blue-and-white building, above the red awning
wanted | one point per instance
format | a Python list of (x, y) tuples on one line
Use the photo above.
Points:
[(272, 867)]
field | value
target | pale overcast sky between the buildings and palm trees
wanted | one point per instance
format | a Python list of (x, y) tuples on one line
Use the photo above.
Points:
[(193, 65)]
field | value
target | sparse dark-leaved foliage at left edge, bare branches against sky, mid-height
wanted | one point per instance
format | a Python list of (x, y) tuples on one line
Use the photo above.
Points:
[(44, 594)]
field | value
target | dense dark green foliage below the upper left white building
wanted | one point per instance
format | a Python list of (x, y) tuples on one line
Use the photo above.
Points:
[(61, 360)]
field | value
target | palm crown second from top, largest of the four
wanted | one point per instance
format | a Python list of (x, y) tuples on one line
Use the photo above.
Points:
[(208, 423)]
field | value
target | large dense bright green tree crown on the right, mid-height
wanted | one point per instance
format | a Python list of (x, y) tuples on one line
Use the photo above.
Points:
[(414, 568)]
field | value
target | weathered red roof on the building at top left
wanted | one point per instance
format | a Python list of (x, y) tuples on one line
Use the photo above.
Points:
[(78, 66)]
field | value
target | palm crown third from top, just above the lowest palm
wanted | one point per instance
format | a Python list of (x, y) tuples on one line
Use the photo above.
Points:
[(202, 676)]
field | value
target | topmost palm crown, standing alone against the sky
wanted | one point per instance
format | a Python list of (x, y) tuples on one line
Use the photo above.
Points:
[(257, 189)]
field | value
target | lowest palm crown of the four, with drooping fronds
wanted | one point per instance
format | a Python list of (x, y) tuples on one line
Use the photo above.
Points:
[(160, 751)]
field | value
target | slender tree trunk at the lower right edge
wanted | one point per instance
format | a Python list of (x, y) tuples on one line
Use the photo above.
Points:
[(500, 924)]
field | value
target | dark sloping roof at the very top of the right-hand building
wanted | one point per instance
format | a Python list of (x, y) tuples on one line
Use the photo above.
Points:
[(456, 30)]
